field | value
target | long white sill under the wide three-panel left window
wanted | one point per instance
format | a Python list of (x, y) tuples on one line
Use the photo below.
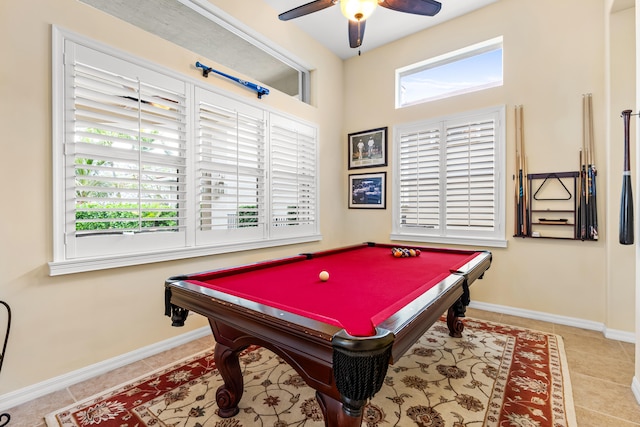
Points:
[(58, 268)]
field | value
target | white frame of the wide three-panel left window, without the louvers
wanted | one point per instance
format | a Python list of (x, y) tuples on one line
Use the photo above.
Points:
[(62, 263)]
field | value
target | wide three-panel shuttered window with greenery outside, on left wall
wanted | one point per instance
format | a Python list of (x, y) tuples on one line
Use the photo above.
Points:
[(148, 166)]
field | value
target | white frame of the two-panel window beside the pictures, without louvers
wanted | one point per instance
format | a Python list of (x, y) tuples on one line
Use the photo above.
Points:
[(493, 238)]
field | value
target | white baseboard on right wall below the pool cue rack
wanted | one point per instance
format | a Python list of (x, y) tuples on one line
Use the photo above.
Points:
[(613, 334)]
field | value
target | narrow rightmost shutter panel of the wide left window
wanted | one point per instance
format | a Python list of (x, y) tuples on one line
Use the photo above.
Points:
[(293, 176)]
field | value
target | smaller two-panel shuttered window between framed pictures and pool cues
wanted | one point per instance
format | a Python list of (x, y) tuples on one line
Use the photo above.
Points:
[(450, 180)]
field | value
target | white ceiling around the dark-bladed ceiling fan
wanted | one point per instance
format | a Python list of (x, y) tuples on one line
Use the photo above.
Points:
[(329, 26)]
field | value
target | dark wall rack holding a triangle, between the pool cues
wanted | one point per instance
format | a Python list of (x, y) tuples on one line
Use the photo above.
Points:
[(553, 205)]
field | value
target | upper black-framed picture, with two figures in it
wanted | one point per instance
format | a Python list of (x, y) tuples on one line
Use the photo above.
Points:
[(368, 149)]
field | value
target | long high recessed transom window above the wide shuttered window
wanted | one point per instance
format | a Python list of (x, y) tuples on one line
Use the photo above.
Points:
[(208, 31)]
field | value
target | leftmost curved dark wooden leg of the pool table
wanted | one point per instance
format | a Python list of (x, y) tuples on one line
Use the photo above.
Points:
[(229, 394)]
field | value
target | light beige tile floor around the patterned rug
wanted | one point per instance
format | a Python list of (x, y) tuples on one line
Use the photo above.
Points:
[(601, 374)]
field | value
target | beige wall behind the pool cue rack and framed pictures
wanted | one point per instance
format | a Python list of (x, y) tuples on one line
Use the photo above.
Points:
[(554, 52)]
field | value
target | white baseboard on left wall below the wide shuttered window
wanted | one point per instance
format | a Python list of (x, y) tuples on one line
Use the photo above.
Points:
[(35, 391)]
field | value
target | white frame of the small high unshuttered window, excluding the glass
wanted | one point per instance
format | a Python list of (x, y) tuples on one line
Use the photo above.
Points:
[(443, 60)]
